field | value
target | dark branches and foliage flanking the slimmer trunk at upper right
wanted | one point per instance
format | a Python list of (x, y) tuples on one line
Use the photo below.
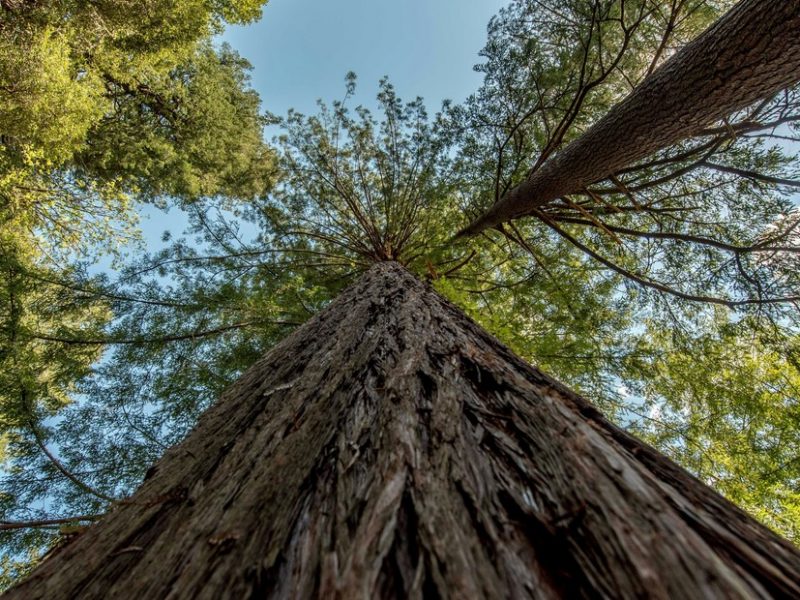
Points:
[(723, 198)]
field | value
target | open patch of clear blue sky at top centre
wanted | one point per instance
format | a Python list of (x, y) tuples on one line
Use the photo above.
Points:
[(302, 49)]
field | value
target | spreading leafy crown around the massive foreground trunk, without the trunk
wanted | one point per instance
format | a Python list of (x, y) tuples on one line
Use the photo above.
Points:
[(192, 317)]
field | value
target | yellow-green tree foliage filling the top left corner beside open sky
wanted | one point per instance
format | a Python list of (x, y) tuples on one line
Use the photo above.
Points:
[(106, 102)]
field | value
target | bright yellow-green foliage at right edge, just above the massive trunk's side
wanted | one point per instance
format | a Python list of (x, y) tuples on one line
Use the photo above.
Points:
[(724, 404)]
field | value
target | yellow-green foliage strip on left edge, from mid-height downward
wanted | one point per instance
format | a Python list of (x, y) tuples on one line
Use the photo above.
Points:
[(38, 381)]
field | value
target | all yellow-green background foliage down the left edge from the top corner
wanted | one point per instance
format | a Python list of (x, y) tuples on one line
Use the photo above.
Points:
[(103, 106)]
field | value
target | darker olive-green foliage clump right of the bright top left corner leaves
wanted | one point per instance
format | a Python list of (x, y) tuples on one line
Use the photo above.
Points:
[(189, 132)]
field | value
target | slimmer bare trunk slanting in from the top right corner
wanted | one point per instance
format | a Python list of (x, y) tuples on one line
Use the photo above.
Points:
[(751, 53)]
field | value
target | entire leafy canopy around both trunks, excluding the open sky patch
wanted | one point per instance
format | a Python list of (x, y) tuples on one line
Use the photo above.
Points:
[(666, 293)]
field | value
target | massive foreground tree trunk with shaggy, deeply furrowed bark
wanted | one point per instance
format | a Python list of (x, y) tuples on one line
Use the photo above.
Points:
[(391, 448)]
